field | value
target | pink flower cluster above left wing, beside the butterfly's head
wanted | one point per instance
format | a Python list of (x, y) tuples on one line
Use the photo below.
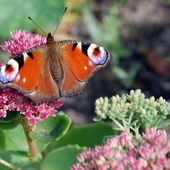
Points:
[(21, 41)]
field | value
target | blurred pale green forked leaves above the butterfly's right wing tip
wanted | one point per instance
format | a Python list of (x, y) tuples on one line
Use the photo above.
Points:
[(110, 34)]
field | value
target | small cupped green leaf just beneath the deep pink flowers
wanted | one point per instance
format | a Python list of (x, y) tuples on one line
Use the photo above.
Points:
[(51, 128)]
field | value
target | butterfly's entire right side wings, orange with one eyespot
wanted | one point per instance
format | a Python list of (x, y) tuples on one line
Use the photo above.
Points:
[(80, 60)]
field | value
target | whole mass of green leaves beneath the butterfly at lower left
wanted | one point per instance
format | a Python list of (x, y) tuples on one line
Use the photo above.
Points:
[(53, 142)]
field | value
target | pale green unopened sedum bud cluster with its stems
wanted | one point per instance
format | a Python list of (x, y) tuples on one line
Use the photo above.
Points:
[(133, 111)]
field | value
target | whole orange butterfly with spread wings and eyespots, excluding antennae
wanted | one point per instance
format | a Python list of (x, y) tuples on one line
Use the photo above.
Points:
[(54, 70)]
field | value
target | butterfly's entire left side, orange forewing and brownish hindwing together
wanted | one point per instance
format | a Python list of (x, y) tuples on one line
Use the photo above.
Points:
[(29, 73)]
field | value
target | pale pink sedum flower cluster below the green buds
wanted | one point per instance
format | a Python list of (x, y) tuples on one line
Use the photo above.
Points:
[(124, 152)]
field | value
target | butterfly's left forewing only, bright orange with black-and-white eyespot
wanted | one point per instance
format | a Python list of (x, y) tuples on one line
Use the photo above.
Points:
[(20, 73)]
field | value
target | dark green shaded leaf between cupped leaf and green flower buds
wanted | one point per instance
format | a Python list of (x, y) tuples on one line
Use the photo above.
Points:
[(88, 135)]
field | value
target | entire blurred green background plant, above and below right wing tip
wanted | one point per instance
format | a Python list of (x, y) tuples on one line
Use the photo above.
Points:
[(109, 29)]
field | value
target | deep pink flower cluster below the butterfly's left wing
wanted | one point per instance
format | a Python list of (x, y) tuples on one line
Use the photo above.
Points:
[(11, 100)]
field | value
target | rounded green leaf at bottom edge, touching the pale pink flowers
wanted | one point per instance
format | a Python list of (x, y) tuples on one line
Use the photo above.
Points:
[(61, 158)]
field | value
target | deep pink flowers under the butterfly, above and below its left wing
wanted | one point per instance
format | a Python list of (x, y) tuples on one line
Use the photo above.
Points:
[(11, 99)]
